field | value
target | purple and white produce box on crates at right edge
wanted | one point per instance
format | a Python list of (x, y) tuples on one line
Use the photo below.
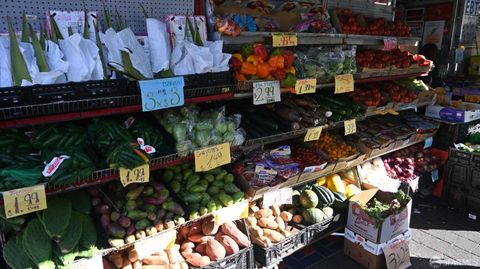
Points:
[(452, 114)]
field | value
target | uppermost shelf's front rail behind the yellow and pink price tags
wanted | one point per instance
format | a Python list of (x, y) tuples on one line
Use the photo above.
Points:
[(318, 39)]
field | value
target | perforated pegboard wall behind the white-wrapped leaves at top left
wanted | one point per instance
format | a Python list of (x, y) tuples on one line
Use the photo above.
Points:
[(129, 10)]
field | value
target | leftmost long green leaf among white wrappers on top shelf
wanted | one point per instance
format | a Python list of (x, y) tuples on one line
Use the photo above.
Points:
[(19, 67)]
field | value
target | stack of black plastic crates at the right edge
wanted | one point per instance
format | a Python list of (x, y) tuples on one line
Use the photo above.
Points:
[(463, 180)]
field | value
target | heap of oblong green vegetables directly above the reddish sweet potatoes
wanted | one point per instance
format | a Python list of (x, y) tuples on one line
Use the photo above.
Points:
[(202, 192)]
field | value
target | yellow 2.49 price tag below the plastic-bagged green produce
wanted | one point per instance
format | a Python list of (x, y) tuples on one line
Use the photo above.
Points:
[(212, 157)]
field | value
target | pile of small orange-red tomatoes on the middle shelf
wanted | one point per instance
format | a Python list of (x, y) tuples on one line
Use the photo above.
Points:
[(334, 146)]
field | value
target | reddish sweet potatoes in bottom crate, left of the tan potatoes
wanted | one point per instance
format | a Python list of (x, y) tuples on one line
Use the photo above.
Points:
[(205, 242)]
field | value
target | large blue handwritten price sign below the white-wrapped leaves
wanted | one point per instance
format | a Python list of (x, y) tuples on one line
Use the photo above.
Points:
[(162, 93)]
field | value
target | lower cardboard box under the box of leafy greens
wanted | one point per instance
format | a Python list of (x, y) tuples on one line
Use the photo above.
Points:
[(366, 253)]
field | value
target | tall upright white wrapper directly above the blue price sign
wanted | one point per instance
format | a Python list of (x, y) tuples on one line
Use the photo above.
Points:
[(159, 45)]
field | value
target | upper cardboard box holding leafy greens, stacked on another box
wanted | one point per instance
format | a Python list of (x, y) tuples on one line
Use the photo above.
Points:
[(359, 222)]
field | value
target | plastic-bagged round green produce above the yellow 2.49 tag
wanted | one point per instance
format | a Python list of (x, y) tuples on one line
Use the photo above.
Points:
[(193, 128)]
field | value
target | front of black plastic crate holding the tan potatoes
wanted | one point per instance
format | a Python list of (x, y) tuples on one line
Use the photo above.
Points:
[(274, 254)]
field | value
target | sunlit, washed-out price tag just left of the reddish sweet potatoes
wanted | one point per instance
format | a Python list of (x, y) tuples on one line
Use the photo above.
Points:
[(161, 241)]
